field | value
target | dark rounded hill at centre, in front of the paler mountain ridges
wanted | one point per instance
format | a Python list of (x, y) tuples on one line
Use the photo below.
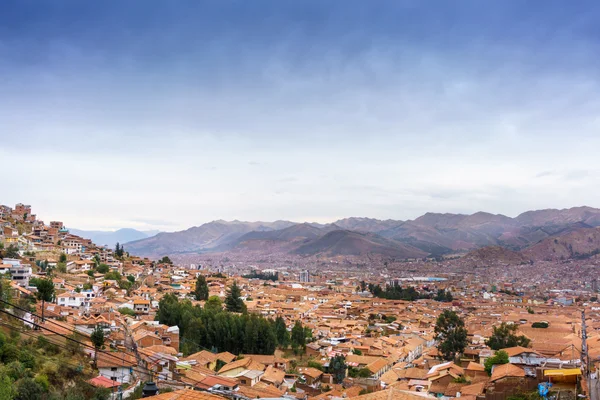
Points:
[(351, 243)]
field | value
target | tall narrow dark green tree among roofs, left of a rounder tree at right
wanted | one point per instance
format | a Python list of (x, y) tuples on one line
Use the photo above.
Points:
[(451, 334)]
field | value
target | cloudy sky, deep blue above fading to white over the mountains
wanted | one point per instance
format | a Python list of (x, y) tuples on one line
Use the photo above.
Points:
[(168, 114)]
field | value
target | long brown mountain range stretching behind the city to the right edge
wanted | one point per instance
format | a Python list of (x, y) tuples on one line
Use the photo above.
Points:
[(432, 234)]
